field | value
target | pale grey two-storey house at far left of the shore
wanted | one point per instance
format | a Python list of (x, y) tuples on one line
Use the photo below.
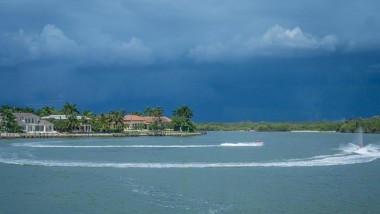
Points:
[(32, 123)]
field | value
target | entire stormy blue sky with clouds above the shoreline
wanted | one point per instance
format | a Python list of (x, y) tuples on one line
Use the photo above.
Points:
[(244, 60)]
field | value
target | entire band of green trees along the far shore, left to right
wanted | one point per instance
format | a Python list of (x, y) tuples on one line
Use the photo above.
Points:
[(181, 121)]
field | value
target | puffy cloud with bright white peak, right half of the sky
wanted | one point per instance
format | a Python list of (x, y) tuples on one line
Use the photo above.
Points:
[(276, 41)]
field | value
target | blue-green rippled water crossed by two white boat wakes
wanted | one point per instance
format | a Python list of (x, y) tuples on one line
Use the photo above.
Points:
[(220, 172)]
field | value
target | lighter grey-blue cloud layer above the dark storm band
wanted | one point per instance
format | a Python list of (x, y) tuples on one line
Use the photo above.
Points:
[(129, 32)]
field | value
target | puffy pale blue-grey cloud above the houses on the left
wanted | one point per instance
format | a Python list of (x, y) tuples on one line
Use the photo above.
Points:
[(53, 44)]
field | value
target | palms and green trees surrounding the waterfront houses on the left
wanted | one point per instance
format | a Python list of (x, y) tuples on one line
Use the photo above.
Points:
[(103, 122)]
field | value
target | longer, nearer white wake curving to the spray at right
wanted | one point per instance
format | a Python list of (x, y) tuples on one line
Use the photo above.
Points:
[(348, 155)]
